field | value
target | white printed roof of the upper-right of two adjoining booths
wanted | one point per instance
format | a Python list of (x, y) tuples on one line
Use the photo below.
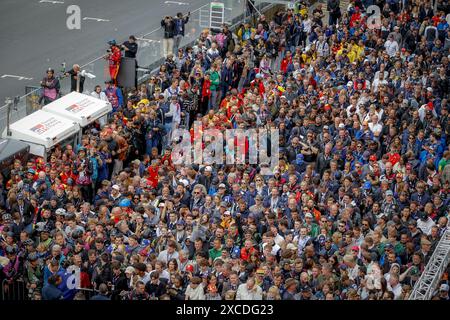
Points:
[(78, 107)]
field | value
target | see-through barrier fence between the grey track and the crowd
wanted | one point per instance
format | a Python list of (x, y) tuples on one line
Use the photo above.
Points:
[(148, 57)]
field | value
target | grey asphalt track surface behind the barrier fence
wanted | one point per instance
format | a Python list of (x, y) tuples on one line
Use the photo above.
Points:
[(34, 34)]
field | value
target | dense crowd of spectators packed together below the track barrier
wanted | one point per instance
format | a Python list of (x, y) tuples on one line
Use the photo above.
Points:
[(353, 210)]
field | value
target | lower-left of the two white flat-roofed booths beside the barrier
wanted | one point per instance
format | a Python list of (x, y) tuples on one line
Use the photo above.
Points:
[(42, 131)]
